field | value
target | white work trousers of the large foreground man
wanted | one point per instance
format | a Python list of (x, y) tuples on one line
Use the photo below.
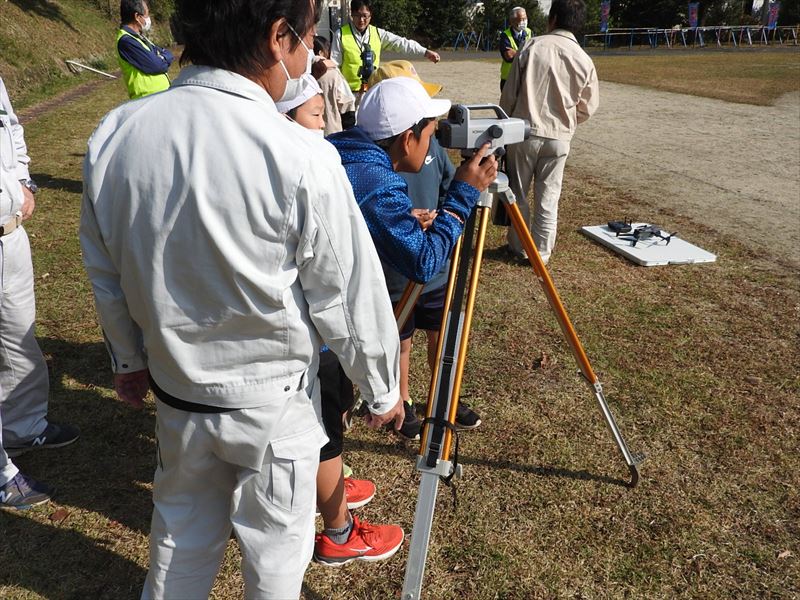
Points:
[(253, 470)]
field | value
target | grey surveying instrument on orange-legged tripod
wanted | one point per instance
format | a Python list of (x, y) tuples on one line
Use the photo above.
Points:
[(462, 130)]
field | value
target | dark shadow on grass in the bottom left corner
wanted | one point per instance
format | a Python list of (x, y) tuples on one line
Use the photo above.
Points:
[(58, 562)]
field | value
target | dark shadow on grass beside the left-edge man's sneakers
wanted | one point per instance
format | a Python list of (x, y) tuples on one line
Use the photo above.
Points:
[(108, 470)]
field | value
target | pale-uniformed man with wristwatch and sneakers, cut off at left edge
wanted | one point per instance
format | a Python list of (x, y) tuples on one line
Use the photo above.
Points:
[(24, 385)]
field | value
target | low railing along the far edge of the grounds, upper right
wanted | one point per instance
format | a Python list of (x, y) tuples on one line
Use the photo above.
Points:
[(718, 36)]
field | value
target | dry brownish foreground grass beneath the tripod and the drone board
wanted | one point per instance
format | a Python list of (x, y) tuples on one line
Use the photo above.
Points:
[(699, 364)]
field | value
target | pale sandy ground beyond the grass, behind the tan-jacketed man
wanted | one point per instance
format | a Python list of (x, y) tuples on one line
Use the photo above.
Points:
[(732, 167)]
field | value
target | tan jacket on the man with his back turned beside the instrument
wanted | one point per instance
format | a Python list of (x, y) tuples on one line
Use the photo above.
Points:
[(553, 84)]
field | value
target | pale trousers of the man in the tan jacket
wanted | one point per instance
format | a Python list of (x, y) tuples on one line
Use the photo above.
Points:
[(542, 161)]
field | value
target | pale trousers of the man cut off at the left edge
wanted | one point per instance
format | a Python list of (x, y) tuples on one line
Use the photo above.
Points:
[(24, 384)]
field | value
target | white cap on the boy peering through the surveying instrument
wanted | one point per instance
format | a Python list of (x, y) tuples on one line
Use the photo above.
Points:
[(395, 105)]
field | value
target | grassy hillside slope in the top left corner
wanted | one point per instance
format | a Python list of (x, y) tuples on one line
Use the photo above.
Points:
[(36, 36)]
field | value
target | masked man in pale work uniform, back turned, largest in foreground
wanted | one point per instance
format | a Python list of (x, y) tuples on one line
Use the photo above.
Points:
[(224, 246)]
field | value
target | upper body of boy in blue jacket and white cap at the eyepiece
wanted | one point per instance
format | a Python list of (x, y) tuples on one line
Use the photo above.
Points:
[(394, 125)]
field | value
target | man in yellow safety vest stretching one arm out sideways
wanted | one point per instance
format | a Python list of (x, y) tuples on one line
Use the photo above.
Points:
[(350, 45)]
